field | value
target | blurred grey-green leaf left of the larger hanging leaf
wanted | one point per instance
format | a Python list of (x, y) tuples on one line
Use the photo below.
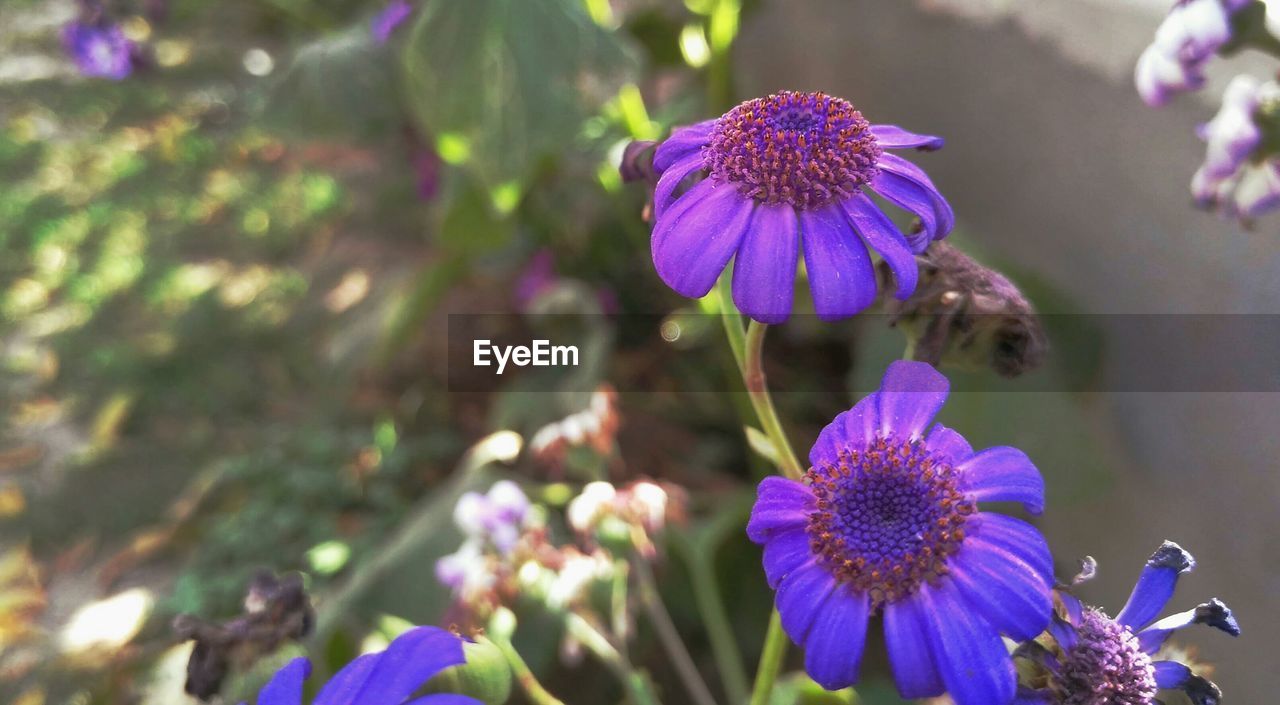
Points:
[(339, 86)]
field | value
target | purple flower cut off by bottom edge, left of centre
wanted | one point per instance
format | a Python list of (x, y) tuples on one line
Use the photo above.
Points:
[(388, 677)]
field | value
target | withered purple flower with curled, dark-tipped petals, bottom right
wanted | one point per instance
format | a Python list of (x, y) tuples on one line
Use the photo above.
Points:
[(1104, 661)]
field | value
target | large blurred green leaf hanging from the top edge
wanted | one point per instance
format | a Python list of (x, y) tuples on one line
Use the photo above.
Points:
[(513, 80)]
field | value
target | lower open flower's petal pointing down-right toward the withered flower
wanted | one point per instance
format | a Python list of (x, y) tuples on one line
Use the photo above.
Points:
[(1011, 594)]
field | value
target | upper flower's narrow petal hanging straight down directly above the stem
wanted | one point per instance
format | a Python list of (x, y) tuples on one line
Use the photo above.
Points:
[(765, 269)]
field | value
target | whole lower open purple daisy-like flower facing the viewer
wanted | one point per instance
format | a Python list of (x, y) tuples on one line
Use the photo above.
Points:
[(888, 521)]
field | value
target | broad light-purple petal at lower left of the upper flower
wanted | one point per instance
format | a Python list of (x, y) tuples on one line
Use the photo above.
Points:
[(693, 245)]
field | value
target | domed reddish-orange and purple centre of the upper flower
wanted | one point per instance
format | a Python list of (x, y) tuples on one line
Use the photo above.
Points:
[(801, 149)]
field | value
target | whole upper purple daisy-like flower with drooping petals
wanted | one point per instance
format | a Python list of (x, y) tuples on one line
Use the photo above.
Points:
[(787, 175)]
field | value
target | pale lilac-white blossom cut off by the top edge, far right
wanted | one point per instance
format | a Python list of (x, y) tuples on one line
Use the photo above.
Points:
[(1192, 33)]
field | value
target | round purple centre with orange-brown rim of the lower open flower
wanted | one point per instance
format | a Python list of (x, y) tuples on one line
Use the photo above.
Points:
[(889, 518)]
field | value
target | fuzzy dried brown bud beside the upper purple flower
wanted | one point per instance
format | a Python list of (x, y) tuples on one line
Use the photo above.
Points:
[(964, 313)]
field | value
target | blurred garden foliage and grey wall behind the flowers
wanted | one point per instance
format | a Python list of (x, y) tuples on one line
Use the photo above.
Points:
[(227, 278)]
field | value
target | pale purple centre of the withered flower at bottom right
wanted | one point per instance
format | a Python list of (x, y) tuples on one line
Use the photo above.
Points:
[(1107, 666)]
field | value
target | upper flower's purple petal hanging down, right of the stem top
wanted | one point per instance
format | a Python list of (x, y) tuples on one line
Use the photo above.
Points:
[(840, 271)]
